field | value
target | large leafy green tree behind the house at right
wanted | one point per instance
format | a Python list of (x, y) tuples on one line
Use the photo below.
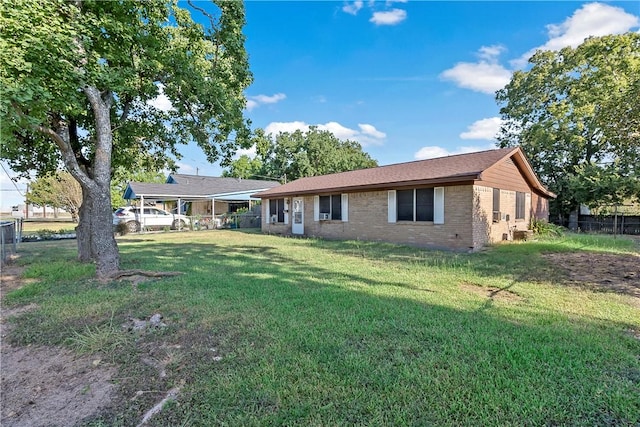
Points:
[(576, 114)]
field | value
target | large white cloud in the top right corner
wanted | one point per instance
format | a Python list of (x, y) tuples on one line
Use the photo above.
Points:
[(593, 19)]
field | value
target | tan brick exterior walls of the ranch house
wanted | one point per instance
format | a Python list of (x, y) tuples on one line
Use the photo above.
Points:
[(468, 224)]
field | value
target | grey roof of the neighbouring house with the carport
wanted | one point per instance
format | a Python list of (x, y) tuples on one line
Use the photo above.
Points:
[(195, 187)]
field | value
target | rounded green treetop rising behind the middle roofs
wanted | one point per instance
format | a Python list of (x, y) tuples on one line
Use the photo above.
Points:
[(293, 155)]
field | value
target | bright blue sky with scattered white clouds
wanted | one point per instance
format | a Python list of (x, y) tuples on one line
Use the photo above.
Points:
[(408, 80)]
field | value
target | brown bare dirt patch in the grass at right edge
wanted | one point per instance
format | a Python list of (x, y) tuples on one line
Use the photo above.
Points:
[(600, 272)]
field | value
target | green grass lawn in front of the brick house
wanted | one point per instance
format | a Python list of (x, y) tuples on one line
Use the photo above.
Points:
[(266, 330)]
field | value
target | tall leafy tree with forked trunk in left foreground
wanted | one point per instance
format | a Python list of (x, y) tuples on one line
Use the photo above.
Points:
[(81, 84)]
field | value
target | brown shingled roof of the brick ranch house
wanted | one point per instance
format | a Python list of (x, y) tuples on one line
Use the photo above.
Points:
[(441, 170)]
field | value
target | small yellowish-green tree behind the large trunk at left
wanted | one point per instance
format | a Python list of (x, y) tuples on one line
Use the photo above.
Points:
[(58, 190)]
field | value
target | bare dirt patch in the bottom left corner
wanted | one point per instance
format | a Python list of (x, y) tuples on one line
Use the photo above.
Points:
[(46, 386)]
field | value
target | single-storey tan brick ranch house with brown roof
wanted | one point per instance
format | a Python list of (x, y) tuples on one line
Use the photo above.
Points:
[(459, 202)]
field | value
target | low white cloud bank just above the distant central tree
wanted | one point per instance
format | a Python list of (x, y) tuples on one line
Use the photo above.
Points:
[(367, 134)]
